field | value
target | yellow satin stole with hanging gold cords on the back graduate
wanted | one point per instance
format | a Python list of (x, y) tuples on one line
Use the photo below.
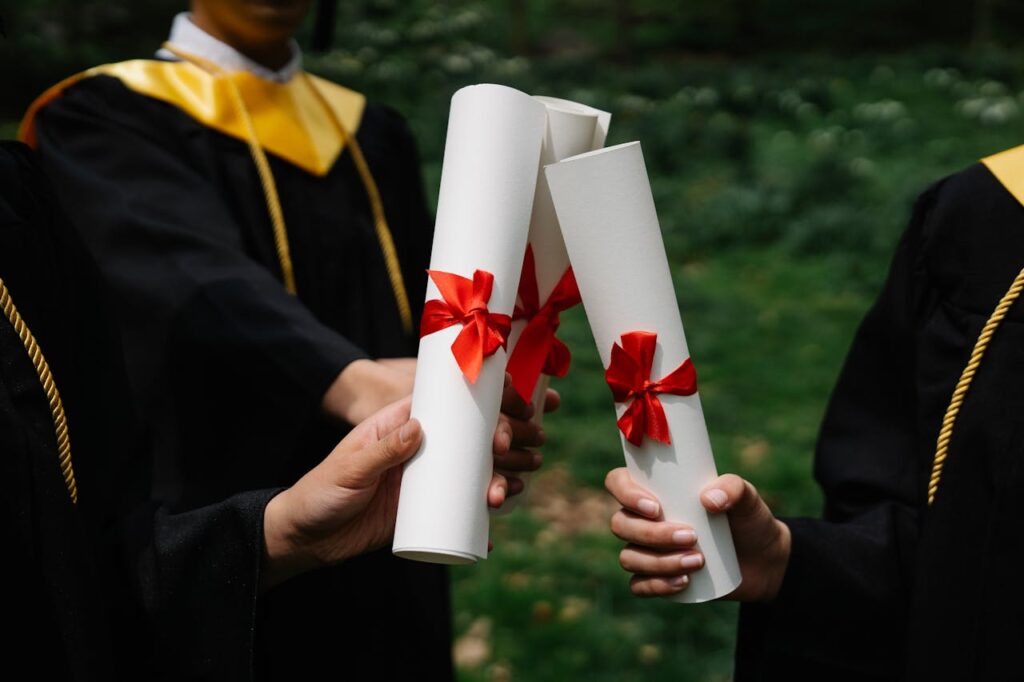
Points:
[(308, 121)]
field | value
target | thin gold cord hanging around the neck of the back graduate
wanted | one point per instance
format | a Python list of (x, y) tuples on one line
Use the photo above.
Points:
[(274, 202)]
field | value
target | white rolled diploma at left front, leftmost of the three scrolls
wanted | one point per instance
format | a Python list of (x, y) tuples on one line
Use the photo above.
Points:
[(488, 183)]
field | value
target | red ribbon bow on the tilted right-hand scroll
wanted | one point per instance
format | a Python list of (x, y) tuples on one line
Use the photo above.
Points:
[(629, 378)]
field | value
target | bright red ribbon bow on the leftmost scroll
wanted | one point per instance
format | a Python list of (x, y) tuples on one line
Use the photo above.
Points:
[(465, 303)]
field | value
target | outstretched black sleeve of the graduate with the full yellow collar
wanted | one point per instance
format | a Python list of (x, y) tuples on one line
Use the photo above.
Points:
[(169, 245)]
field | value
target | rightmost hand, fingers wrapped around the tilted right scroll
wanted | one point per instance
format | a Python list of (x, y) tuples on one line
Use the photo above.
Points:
[(661, 555)]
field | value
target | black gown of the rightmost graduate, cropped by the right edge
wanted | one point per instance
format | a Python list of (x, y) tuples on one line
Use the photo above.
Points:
[(886, 588)]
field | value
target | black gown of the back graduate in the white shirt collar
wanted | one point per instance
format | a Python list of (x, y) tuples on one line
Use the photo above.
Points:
[(229, 368)]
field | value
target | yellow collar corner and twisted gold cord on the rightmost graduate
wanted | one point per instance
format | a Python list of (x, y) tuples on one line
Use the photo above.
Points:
[(1008, 167)]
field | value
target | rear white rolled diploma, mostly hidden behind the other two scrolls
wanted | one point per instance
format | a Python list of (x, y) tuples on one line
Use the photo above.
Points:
[(573, 129)]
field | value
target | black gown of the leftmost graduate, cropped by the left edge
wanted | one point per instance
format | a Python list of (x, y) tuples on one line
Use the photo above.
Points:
[(93, 590)]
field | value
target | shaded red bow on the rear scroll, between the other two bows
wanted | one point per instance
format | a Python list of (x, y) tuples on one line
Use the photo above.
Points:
[(538, 351)]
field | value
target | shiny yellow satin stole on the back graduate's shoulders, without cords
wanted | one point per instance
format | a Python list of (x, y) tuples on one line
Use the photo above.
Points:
[(288, 118)]
